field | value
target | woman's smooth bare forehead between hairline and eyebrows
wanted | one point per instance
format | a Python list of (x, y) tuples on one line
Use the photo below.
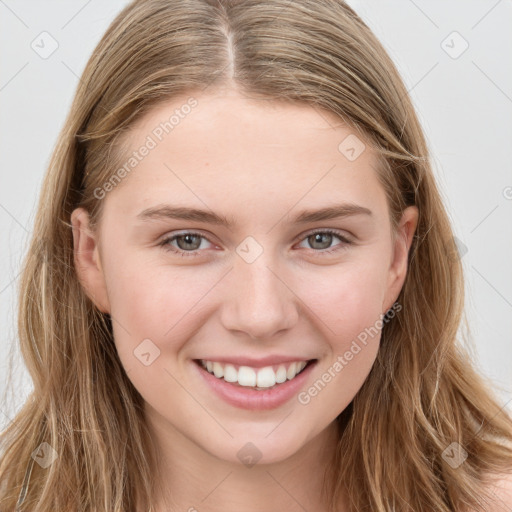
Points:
[(227, 149)]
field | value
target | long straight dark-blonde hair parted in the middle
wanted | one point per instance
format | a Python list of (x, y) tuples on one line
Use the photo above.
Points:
[(423, 393)]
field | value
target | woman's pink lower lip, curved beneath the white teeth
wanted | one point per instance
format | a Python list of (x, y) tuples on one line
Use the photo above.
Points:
[(253, 399)]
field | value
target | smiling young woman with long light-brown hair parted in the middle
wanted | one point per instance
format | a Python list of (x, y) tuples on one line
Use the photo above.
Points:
[(242, 292)]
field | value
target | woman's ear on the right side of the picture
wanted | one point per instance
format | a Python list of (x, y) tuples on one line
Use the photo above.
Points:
[(401, 245)]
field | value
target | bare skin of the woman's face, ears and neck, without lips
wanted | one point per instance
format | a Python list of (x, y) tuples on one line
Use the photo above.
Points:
[(260, 164)]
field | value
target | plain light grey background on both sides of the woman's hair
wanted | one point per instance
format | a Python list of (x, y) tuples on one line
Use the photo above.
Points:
[(464, 103)]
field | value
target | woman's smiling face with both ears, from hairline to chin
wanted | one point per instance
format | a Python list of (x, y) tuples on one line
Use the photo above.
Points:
[(274, 285)]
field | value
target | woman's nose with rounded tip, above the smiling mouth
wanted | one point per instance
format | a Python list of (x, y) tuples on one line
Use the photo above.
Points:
[(261, 303)]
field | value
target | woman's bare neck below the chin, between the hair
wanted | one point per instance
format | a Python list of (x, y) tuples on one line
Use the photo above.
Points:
[(191, 479)]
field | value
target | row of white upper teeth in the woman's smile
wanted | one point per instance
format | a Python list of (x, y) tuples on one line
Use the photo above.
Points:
[(260, 378)]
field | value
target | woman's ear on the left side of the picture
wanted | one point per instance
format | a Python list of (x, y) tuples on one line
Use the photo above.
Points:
[(87, 260)]
